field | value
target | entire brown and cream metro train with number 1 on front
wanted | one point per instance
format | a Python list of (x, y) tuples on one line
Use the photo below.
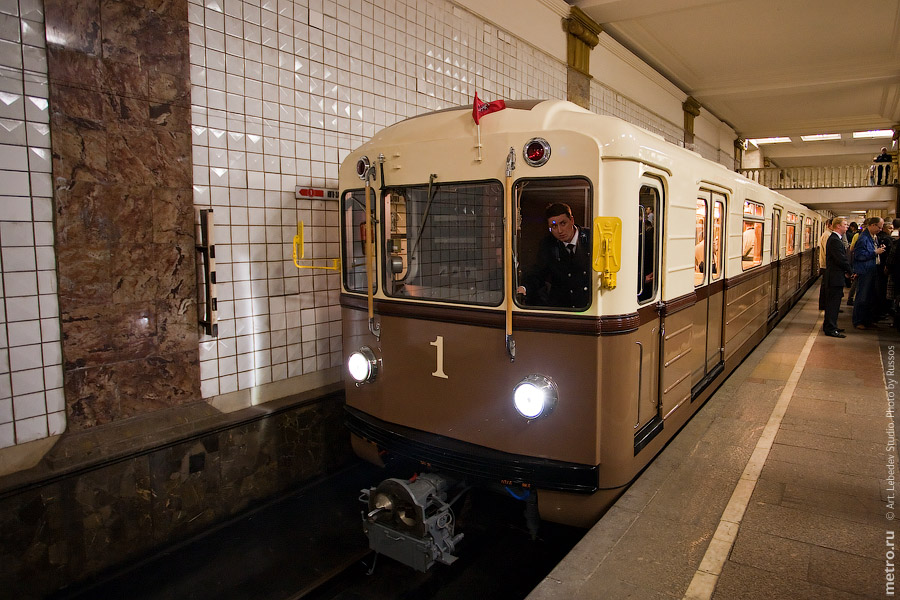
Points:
[(543, 331)]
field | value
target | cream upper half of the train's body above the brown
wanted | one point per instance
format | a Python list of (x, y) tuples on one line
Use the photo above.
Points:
[(551, 151)]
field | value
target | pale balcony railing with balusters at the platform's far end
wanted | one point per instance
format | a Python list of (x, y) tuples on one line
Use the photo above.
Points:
[(790, 178)]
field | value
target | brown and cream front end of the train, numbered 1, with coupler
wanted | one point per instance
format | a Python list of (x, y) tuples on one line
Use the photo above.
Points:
[(450, 362)]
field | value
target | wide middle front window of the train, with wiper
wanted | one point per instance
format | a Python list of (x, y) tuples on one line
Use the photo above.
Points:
[(444, 242)]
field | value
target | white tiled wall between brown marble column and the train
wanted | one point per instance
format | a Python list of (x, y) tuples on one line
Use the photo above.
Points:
[(282, 91)]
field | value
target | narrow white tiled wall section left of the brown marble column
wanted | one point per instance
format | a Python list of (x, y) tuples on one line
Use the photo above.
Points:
[(32, 404)]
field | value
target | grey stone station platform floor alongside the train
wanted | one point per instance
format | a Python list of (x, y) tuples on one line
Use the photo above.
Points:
[(781, 486)]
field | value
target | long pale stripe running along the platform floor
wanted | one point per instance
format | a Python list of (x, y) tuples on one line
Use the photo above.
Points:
[(704, 582)]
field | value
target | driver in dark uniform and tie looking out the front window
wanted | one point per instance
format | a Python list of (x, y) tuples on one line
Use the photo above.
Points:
[(561, 276)]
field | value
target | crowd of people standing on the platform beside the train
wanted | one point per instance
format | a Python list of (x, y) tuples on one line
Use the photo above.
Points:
[(867, 261)]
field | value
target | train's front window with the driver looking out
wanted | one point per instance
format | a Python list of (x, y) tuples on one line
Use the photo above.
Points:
[(553, 243)]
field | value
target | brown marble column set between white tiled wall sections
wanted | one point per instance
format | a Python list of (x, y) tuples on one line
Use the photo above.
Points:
[(120, 123)]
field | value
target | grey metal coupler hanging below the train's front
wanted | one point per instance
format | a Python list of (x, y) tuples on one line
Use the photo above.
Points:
[(411, 521)]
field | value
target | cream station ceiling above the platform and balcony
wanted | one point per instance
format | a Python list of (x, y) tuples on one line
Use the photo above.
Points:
[(774, 67)]
